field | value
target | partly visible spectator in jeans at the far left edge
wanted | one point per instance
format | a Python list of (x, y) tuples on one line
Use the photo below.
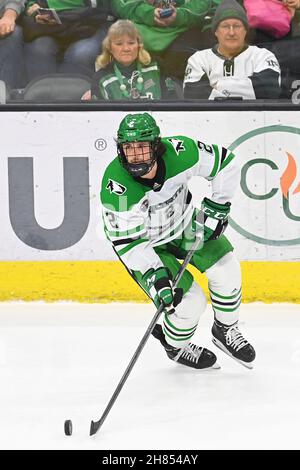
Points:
[(11, 44)]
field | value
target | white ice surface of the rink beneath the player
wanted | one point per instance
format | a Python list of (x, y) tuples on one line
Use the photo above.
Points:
[(63, 361)]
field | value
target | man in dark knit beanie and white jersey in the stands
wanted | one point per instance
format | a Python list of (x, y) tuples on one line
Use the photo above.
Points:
[(232, 68)]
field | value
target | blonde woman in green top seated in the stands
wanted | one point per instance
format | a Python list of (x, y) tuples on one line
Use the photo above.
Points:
[(124, 69)]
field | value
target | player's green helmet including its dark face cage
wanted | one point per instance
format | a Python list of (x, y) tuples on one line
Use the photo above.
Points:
[(138, 128)]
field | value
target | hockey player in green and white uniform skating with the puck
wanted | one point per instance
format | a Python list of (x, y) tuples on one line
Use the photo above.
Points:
[(151, 223)]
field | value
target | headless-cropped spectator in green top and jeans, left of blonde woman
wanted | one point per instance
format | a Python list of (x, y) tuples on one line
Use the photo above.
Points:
[(69, 47)]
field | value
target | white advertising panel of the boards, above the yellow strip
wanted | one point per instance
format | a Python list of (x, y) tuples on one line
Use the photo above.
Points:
[(51, 173)]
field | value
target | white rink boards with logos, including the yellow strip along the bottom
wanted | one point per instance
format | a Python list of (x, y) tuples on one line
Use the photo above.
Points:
[(52, 243)]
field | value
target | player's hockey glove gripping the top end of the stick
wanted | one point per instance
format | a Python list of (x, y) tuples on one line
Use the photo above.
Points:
[(215, 218)]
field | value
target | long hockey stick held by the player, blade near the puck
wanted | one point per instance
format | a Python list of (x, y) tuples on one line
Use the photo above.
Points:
[(95, 425)]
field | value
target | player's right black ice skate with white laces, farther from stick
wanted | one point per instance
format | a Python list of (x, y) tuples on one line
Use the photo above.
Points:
[(230, 340)]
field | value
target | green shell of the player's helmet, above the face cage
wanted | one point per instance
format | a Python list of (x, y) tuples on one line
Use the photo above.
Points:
[(138, 127)]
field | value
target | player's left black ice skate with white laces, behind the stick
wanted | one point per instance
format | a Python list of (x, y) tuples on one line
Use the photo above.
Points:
[(190, 355)]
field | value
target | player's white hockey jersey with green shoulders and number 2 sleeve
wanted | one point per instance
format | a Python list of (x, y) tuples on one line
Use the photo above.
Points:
[(138, 217)]
